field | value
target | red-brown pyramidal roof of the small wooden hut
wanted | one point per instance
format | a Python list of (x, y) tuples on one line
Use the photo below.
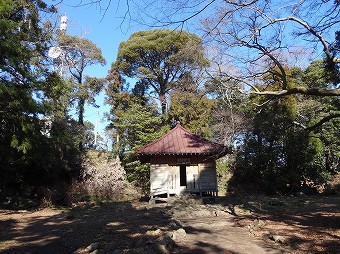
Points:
[(181, 141)]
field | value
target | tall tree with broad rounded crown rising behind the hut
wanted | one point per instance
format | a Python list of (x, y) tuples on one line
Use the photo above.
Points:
[(157, 58)]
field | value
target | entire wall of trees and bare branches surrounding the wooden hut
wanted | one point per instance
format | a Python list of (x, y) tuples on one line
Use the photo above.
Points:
[(246, 84)]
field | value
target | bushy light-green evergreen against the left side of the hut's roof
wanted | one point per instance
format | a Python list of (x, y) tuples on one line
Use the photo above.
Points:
[(136, 123)]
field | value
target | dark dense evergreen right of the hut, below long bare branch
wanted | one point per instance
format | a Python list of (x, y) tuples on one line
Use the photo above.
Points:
[(279, 155)]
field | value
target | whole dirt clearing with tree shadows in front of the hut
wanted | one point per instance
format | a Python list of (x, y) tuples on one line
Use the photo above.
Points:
[(234, 224)]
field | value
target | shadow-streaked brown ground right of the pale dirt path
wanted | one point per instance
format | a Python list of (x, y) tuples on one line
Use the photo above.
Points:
[(307, 223)]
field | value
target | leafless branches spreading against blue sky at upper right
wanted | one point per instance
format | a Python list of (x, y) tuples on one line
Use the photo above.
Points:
[(253, 39)]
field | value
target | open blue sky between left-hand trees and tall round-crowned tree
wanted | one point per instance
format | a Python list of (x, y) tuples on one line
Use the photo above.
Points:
[(106, 31)]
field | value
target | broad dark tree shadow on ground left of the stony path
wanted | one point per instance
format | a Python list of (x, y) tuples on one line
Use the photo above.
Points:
[(114, 225)]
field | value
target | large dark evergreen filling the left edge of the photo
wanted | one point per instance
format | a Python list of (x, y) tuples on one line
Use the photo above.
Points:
[(30, 100)]
